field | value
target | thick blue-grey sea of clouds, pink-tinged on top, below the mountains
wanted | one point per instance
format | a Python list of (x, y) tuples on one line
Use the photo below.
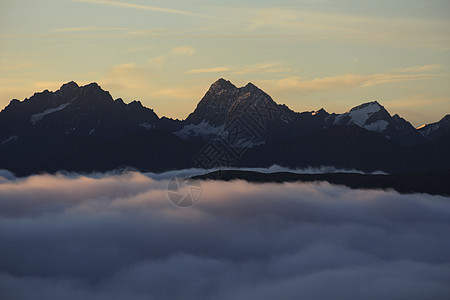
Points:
[(117, 236)]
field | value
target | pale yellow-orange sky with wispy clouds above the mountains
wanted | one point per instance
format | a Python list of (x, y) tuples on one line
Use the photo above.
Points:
[(307, 54)]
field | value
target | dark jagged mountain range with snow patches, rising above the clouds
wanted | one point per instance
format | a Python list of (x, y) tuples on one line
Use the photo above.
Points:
[(83, 129)]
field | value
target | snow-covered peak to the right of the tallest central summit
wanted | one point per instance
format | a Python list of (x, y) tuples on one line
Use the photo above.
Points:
[(360, 115)]
